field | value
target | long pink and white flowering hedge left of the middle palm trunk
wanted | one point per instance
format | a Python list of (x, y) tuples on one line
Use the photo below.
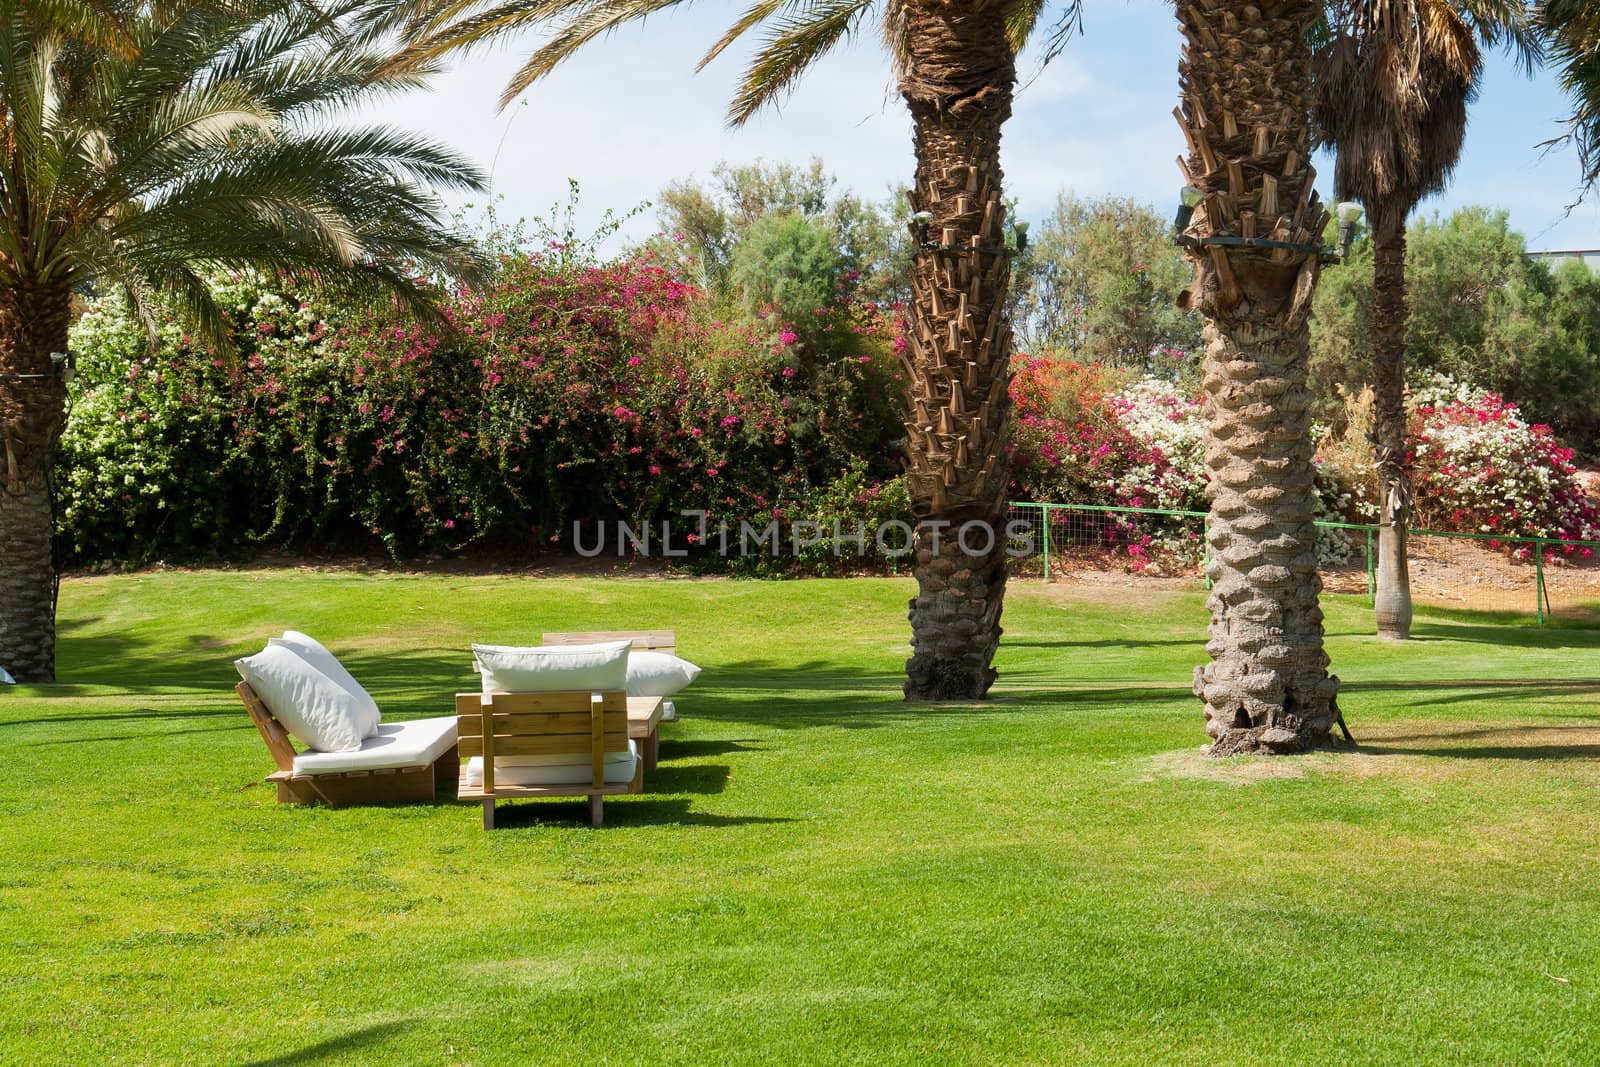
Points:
[(569, 391)]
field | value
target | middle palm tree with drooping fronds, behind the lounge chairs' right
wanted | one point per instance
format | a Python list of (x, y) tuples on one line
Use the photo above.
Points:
[(956, 66)]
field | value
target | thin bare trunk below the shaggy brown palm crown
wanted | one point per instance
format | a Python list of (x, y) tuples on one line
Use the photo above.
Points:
[(1393, 601)]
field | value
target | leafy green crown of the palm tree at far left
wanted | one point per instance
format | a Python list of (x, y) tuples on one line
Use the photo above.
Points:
[(190, 151)]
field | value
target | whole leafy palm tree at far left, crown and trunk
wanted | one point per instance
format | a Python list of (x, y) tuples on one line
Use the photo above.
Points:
[(158, 145)]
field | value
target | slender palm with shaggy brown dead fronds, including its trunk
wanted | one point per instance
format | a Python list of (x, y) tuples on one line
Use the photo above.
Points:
[(1394, 81)]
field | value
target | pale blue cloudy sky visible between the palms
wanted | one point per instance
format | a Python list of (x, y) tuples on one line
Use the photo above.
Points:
[(631, 116)]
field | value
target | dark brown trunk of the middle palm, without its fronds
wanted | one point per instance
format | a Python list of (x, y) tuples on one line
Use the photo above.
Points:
[(958, 79)]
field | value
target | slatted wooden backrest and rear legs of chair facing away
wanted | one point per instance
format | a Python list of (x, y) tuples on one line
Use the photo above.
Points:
[(542, 724)]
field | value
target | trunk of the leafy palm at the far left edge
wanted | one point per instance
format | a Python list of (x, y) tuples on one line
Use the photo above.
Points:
[(33, 412)]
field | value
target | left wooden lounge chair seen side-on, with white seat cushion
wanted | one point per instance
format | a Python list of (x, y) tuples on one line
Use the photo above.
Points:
[(404, 762)]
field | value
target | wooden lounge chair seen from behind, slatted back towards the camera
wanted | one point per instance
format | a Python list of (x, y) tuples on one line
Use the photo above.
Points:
[(588, 729)]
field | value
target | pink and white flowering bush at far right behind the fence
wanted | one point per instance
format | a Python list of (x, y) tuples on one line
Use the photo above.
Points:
[(1478, 466)]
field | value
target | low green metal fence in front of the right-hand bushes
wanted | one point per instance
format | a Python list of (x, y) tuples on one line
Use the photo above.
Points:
[(1538, 577)]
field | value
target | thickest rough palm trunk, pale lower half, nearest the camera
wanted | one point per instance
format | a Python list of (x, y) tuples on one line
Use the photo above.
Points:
[(1246, 82)]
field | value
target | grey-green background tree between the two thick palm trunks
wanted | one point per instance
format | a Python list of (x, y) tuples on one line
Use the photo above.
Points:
[(1103, 286)]
